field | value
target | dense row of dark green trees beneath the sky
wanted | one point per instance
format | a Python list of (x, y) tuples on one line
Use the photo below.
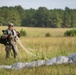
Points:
[(41, 17)]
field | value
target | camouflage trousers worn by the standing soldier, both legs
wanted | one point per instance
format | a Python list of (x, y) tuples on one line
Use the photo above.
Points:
[(8, 49)]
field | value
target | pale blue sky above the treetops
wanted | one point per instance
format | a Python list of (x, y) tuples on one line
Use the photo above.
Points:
[(50, 4)]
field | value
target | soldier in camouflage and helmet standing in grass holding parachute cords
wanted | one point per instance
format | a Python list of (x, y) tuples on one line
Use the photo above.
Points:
[(11, 36)]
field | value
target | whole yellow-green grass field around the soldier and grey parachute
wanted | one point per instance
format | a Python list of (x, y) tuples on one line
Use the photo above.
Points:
[(43, 47)]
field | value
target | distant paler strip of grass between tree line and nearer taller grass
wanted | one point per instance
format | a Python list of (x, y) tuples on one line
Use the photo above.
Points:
[(39, 32)]
